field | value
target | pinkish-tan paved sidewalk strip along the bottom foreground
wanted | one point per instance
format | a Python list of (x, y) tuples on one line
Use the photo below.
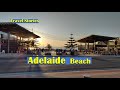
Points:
[(113, 73)]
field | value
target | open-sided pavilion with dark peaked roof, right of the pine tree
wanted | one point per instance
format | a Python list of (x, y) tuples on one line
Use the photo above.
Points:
[(100, 44)]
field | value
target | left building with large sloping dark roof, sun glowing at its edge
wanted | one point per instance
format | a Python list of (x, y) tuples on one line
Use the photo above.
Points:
[(14, 37)]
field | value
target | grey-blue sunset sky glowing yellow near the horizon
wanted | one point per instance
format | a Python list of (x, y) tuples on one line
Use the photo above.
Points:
[(55, 27)]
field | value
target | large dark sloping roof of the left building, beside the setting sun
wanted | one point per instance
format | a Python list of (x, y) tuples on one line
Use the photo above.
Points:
[(16, 30)]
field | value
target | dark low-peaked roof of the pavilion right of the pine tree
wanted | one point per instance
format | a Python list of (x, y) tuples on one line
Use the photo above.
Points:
[(94, 38)]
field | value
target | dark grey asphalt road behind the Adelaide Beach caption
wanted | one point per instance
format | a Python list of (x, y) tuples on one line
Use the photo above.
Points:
[(19, 65)]
